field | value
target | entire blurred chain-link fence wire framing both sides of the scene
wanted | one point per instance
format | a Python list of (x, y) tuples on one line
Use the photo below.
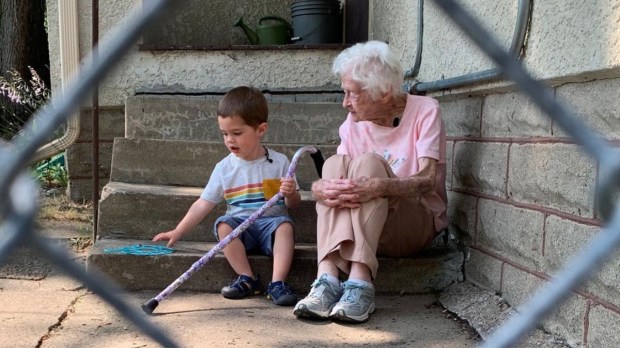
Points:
[(18, 192)]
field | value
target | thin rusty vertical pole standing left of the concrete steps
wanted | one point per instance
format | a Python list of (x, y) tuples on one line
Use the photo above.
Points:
[(95, 112)]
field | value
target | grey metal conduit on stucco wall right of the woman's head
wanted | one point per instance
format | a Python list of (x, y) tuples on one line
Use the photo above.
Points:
[(518, 38)]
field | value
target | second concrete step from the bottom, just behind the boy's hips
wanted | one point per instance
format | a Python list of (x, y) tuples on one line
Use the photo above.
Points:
[(136, 211)]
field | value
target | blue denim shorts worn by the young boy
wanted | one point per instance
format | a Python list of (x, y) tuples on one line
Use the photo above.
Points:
[(258, 237)]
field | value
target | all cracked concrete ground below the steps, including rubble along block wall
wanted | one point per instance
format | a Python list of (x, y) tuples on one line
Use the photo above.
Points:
[(42, 307)]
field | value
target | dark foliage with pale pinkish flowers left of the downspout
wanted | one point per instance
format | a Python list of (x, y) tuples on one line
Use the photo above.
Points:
[(19, 100)]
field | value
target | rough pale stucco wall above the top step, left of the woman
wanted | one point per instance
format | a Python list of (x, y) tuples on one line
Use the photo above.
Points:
[(192, 70)]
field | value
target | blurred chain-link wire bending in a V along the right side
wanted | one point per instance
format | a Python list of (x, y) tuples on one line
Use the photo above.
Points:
[(590, 258)]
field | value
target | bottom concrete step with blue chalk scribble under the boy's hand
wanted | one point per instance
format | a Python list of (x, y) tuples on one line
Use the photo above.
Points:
[(432, 270)]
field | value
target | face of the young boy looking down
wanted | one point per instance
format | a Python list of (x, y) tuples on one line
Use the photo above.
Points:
[(240, 139)]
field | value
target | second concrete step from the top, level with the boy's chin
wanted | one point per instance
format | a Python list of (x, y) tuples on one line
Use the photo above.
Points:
[(189, 163)]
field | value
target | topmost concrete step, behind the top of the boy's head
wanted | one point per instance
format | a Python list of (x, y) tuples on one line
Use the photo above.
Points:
[(195, 118)]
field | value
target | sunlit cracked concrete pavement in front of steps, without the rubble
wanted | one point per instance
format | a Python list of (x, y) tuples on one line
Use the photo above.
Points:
[(57, 312)]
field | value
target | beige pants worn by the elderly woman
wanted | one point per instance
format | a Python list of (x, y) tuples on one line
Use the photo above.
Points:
[(392, 227)]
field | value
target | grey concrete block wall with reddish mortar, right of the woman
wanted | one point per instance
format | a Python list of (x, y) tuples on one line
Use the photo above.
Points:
[(522, 197)]
